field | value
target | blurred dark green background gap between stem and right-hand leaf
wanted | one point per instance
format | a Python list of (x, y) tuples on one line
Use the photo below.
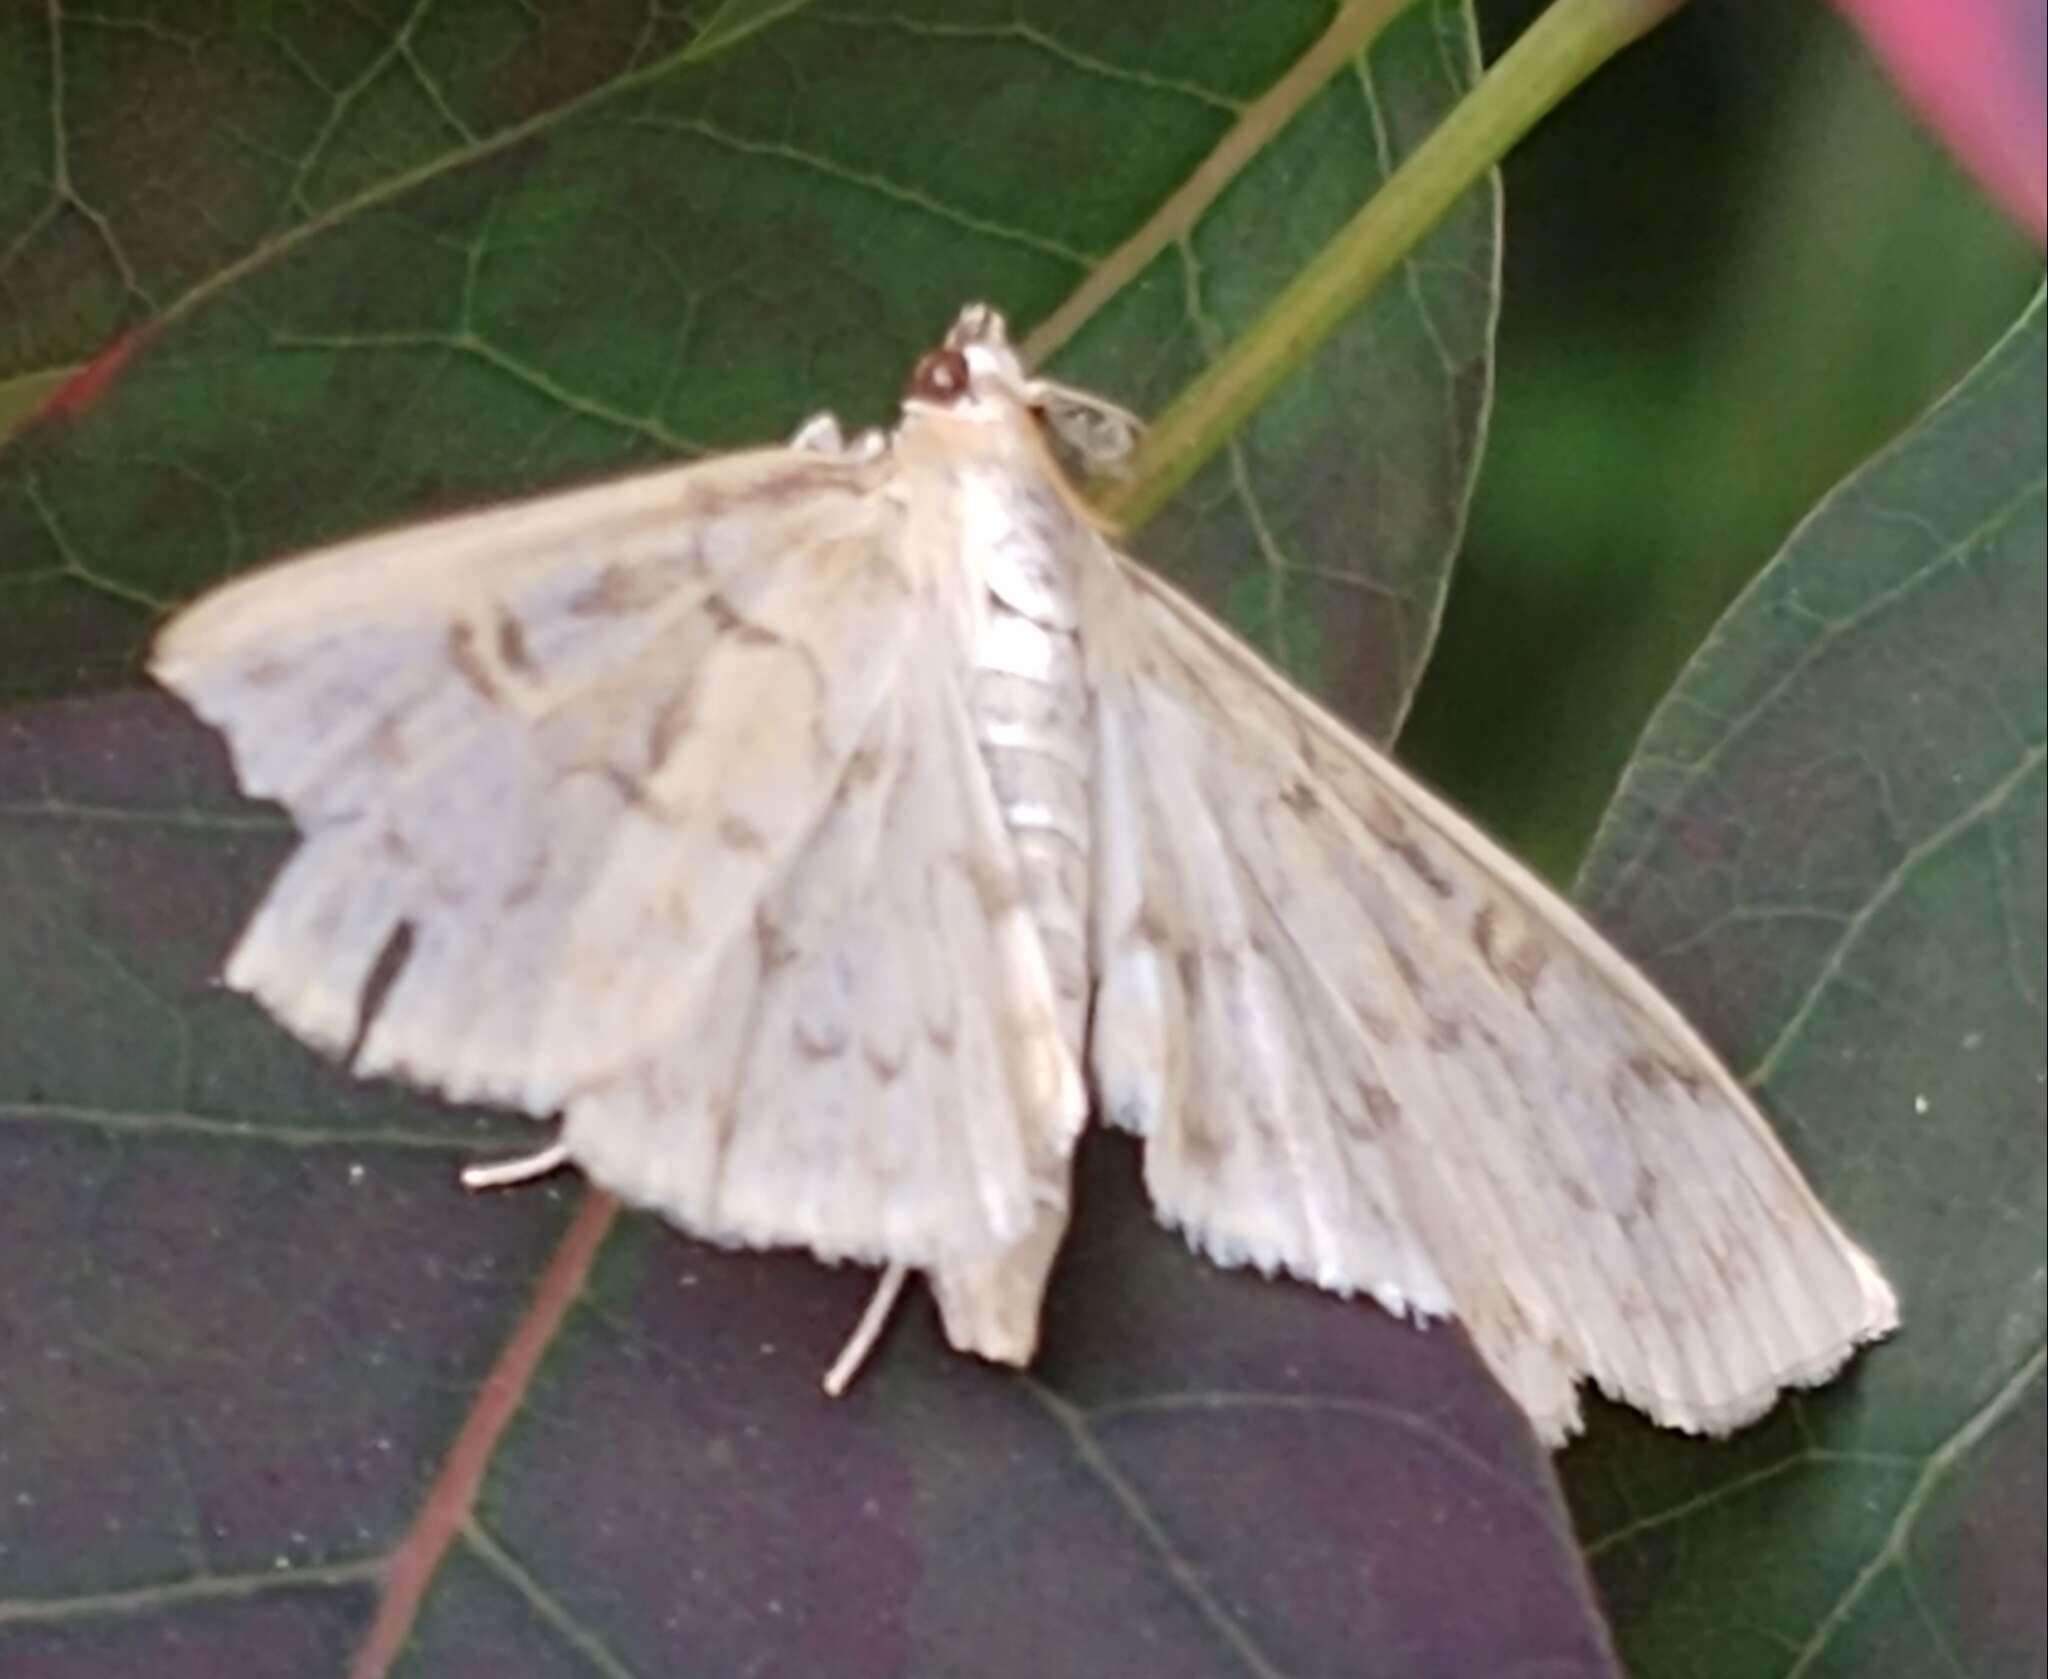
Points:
[(1736, 265)]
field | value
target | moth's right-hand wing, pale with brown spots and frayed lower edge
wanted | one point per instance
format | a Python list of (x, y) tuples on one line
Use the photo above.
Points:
[(1480, 1090)]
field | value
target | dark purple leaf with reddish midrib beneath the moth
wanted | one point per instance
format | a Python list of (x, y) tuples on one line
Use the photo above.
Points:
[(253, 1326)]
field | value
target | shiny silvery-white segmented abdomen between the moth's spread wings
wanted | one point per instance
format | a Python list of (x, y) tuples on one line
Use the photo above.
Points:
[(1035, 738)]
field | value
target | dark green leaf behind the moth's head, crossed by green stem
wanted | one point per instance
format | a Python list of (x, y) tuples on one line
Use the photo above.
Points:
[(404, 284)]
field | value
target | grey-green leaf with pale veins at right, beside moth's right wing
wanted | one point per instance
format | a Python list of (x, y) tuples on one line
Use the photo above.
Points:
[(1832, 845)]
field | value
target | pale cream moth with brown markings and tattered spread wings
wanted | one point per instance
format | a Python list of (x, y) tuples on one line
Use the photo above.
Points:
[(824, 832)]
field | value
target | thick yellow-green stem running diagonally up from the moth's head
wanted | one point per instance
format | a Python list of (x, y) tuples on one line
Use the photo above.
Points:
[(1555, 54)]
